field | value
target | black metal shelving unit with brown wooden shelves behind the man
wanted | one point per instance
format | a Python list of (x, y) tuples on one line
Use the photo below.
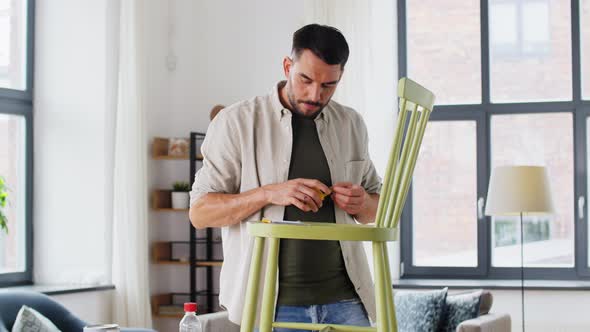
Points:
[(196, 252)]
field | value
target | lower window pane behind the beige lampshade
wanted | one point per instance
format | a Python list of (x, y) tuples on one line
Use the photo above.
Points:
[(536, 139)]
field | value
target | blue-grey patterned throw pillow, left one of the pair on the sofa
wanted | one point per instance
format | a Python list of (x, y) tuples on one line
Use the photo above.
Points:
[(419, 311)]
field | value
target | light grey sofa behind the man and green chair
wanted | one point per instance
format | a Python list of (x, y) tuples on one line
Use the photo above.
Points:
[(486, 321)]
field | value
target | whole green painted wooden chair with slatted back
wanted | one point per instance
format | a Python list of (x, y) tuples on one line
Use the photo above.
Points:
[(413, 99)]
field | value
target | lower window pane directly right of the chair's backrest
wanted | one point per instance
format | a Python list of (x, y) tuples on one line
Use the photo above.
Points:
[(446, 239)]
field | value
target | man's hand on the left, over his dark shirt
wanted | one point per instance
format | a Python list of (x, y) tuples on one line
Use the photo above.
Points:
[(303, 193)]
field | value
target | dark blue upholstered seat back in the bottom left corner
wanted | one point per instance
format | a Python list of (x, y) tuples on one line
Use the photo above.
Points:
[(12, 300)]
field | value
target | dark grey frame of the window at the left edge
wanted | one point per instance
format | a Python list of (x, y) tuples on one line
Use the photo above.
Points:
[(20, 103)]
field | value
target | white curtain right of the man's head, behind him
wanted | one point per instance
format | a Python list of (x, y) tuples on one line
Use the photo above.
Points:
[(369, 84)]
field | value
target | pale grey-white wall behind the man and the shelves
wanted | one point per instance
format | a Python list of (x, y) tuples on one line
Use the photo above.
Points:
[(226, 51)]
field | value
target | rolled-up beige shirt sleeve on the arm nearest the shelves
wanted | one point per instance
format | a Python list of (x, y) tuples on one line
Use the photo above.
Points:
[(221, 168)]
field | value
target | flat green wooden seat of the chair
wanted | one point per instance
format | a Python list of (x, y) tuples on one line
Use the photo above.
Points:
[(322, 231)]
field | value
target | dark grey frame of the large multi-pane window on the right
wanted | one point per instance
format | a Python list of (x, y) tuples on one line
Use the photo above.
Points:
[(482, 113)]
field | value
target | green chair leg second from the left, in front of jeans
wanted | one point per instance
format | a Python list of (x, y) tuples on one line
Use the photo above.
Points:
[(270, 283)]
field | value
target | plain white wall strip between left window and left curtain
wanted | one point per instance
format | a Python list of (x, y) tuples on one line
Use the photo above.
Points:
[(69, 137)]
